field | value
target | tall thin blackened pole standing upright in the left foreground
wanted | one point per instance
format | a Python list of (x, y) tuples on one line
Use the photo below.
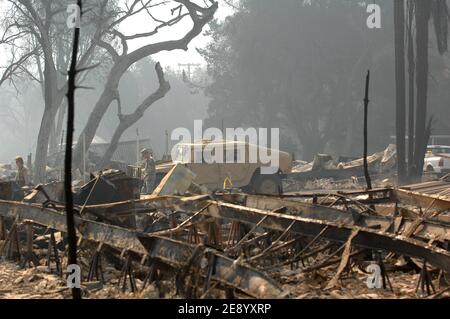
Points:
[(71, 234)]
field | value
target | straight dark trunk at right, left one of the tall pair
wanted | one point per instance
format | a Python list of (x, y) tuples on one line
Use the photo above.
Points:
[(399, 26)]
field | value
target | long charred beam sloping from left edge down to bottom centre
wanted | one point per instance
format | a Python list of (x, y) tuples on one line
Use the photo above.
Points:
[(173, 253)]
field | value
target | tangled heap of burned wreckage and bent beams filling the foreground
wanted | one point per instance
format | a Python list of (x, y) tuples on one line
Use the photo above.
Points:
[(230, 243)]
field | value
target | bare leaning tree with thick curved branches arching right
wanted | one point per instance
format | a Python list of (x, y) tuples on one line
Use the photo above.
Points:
[(123, 60)]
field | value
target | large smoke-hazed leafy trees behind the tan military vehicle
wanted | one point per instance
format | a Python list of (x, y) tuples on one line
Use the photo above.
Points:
[(300, 66)]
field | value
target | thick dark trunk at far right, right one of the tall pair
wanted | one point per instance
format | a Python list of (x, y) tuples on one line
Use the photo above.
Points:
[(423, 11)]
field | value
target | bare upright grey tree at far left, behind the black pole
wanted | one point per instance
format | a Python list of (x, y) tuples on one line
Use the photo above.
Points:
[(37, 32)]
